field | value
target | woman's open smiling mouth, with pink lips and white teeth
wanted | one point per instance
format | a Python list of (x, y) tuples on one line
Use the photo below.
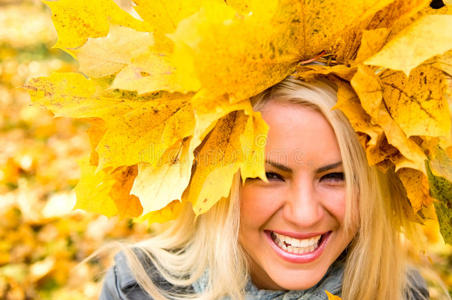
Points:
[(298, 249)]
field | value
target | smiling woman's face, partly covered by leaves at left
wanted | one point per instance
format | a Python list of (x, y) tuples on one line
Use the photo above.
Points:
[(292, 227)]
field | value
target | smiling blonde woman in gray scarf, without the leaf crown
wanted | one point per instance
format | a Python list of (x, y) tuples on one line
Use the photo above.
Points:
[(324, 221)]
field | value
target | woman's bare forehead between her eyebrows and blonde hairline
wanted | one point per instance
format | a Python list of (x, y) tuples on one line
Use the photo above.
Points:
[(299, 133)]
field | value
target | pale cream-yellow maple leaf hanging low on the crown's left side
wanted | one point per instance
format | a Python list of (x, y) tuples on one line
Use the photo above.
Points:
[(157, 186)]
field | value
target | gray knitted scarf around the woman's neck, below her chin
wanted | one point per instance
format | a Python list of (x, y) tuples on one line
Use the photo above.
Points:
[(332, 282)]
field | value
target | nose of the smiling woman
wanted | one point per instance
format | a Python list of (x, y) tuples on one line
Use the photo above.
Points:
[(303, 206)]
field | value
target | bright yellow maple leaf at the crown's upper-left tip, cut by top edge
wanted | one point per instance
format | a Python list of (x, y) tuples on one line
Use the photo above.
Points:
[(76, 21)]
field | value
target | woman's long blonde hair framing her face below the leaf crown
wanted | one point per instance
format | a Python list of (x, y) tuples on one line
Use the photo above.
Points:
[(375, 266)]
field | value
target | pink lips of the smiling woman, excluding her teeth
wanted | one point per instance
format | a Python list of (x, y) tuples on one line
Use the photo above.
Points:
[(299, 258)]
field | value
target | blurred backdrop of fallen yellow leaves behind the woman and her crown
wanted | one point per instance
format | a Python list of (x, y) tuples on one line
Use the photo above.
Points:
[(42, 241)]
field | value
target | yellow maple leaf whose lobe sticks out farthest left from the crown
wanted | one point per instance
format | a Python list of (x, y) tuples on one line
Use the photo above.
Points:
[(137, 129)]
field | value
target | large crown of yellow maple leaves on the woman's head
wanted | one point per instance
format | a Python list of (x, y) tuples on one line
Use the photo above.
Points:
[(164, 91)]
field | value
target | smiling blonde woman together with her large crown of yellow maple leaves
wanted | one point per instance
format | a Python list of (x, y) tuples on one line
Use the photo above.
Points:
[(176, 93)]
